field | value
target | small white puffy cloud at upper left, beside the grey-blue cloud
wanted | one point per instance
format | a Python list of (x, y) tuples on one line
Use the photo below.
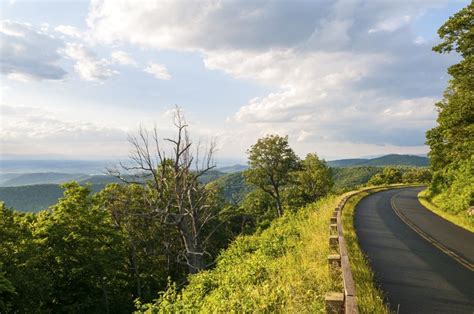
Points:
[(87, 65)]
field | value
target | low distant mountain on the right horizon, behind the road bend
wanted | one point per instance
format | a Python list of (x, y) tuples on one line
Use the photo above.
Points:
[(387, 160)]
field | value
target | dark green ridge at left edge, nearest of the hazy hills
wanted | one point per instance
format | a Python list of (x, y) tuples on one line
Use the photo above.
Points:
[(33, 198)]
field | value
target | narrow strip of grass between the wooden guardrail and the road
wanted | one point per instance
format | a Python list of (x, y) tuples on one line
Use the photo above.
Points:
[(369, 296)]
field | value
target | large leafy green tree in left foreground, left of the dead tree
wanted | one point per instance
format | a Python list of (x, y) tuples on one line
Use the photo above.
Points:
[(83, 253)]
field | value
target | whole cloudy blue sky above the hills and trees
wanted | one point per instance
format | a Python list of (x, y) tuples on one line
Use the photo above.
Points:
[(344, 79)]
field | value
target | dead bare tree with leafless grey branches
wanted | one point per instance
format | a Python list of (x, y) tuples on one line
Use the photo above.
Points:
[(179, 199)]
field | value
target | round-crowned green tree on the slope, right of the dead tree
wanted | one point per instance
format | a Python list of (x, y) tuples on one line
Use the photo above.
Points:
[(271, 160)]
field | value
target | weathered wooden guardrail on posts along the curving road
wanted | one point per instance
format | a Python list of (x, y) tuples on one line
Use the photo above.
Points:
[(346, 301)]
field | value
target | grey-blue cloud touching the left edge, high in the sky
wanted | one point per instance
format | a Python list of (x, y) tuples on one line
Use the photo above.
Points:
[(28, 54)]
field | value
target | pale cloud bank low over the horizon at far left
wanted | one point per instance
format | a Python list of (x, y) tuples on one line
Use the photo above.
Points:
[(33, 130)]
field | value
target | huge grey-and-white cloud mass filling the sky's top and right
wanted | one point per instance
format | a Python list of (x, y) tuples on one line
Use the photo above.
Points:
[(340, 71)]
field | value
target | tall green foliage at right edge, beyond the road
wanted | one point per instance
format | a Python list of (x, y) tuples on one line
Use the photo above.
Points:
[(452, 140)]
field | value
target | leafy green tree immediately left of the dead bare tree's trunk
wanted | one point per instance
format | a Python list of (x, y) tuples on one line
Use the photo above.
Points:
[(152, 247)]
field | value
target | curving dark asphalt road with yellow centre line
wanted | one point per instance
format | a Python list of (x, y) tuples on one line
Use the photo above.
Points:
[(414, 271)]
